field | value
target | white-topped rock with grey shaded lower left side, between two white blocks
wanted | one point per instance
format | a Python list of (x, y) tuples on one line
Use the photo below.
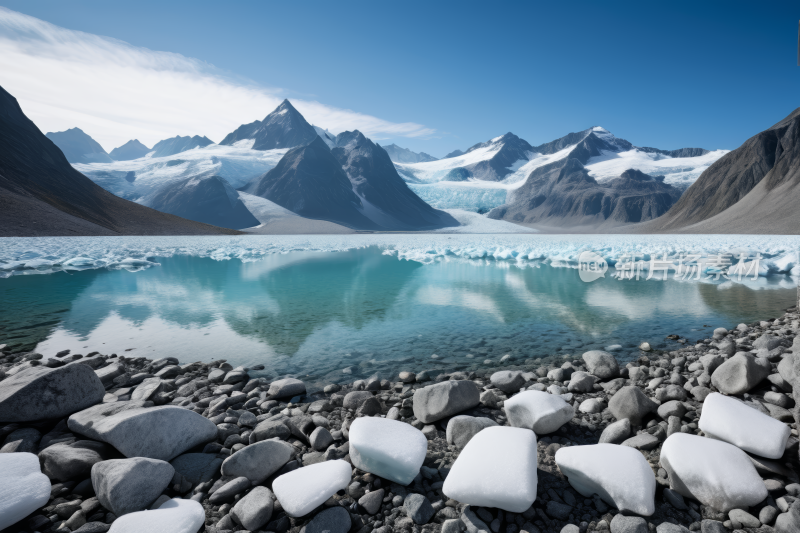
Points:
[(618, 474)]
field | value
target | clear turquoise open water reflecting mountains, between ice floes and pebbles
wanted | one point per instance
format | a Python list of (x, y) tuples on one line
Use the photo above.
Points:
[(337, 316)]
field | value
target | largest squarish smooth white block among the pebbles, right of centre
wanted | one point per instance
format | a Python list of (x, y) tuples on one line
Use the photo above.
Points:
[(497, 468)]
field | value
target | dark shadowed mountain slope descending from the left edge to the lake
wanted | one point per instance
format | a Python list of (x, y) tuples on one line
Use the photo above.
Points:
[(42, 194)]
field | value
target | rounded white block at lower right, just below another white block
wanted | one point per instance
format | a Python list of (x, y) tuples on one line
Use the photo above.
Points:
[(712, 472)]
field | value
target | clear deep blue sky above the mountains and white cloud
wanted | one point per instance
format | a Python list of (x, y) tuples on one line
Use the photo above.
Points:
[(668, 75)]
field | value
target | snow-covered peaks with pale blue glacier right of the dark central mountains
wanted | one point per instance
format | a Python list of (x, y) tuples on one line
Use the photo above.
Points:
[(454, 183)]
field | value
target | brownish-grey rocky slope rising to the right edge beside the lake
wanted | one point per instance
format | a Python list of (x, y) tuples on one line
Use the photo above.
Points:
[(753, 189)]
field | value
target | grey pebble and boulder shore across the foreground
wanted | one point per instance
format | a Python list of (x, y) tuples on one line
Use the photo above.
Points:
[(315, 428)]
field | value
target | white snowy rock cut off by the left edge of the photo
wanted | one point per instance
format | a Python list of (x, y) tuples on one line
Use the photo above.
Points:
[(23, 487)]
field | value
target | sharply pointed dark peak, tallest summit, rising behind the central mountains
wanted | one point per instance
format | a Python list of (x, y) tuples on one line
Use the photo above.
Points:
[(283, 128)]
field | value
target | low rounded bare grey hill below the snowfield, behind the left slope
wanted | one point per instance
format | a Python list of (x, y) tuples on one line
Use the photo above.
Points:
[(208, 199)]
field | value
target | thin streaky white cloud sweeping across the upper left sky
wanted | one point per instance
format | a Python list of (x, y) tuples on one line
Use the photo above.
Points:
[(116, 92)]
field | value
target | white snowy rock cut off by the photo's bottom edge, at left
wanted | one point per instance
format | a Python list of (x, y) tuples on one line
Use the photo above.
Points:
[(174, 516)]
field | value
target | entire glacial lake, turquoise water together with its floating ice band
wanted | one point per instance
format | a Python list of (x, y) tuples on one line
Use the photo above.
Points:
[(338, 308)]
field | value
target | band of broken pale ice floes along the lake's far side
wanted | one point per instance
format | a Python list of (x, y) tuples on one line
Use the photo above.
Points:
[(43, 255)]
